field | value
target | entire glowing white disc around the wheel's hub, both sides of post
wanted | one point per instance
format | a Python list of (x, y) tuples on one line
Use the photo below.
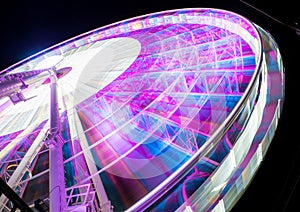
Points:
[(94, 66)]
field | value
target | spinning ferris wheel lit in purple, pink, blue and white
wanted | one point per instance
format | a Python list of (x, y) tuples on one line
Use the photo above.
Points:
[(170, 111)]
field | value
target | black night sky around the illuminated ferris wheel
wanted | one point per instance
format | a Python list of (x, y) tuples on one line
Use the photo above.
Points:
[(28, 27)]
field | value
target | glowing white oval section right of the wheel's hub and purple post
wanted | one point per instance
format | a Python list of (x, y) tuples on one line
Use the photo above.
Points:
[(95, 66)]
